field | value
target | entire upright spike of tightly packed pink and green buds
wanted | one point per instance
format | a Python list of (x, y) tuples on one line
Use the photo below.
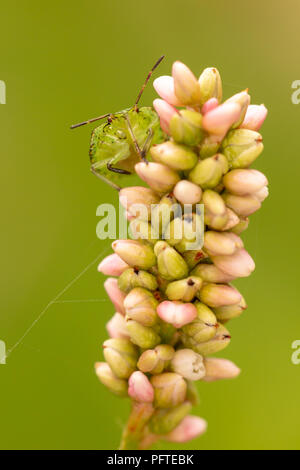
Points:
[(172, 302)]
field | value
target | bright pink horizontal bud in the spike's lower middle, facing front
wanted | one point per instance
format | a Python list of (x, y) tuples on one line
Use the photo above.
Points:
[(177, 313)]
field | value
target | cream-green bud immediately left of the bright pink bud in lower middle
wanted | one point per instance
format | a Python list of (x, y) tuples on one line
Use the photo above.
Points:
[(140, 305)]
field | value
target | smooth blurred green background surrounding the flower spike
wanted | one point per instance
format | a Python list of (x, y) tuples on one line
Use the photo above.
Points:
[(67, 61)]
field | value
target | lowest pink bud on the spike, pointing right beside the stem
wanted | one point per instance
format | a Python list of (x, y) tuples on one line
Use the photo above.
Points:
[(189, 428)]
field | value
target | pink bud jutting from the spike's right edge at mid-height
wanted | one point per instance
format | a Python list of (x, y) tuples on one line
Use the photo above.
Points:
[(240, 264)]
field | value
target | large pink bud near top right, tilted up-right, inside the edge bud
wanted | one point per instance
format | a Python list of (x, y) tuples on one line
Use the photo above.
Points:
[(219, 120)]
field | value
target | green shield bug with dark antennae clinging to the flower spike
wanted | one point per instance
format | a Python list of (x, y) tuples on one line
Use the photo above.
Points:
[(117, 145)]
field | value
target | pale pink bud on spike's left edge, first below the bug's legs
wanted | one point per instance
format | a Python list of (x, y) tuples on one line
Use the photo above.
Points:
[(134, 196)]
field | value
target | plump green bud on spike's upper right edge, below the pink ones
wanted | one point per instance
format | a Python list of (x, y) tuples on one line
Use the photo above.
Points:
[(241, 147)]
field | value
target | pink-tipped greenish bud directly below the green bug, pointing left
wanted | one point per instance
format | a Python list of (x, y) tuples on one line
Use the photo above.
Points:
[(159, 177)]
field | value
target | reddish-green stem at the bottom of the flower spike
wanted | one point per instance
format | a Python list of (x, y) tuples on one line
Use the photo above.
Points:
[(135, 427)]
